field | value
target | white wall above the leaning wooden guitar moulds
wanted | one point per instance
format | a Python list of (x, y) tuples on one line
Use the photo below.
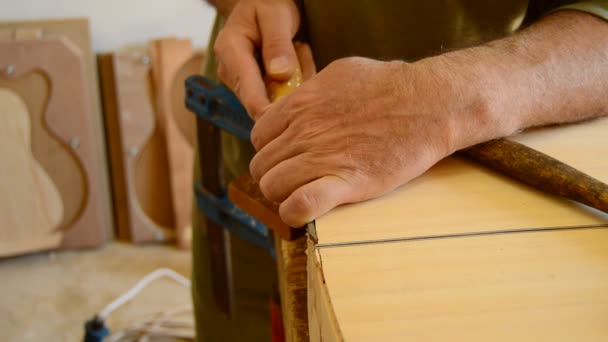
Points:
[(119, 23)]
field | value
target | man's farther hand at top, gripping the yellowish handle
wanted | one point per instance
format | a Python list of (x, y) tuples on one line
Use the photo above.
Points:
[(254, 25)]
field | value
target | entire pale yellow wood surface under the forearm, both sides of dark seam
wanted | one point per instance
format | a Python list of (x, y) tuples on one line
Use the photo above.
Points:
[(463, 253)]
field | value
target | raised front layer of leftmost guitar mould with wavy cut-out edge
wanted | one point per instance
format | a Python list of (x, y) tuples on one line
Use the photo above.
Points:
[(63, 63)]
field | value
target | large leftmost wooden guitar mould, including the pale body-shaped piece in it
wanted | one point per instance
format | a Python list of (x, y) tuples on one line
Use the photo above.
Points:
[(46, 77)]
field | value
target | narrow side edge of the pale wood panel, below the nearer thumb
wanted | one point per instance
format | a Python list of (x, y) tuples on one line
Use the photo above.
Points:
[(323, 324)]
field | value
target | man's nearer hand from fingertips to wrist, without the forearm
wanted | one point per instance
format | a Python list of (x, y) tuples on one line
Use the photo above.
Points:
[(355, 131)]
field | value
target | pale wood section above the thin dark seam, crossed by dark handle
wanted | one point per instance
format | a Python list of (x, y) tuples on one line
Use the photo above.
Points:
[(457, 196)]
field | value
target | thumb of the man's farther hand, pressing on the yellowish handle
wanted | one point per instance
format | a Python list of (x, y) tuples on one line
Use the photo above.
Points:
[(278, 25)]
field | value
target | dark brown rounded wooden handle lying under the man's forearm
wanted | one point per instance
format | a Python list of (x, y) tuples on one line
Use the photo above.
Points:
[(540, 171)]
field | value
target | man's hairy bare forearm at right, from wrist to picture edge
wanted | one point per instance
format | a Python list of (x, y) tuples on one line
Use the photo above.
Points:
[(555, 71)]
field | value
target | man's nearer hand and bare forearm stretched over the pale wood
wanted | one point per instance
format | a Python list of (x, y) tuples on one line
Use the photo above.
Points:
[(361, 128)]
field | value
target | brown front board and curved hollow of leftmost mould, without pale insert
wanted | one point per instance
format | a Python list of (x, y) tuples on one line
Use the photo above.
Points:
[(63, 137)]
